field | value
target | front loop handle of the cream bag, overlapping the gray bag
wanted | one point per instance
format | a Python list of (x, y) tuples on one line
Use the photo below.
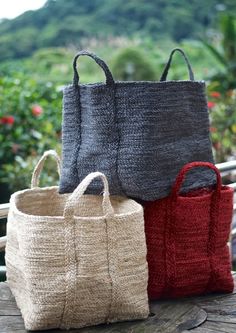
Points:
[(81, 188)]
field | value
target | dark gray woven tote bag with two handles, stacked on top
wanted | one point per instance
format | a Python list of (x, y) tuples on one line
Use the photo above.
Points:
[(140, 134)]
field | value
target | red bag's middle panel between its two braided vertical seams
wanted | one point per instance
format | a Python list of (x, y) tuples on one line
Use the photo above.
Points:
[(190, 233)]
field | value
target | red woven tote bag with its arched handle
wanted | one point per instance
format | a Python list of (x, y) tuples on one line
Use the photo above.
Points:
[(187, 237)]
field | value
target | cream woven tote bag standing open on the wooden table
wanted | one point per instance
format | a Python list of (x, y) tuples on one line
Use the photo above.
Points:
[(76, 260)]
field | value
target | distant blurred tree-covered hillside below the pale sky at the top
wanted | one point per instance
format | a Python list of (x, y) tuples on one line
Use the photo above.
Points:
[(61, 23)]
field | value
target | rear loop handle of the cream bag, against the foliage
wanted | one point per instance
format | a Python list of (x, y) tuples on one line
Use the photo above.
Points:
[(39, 166)]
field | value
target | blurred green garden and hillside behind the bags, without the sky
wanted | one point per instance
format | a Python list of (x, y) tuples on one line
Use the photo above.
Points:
[(134, 37)]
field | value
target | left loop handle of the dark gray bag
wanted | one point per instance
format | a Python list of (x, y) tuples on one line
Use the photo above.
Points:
[(100, 62)]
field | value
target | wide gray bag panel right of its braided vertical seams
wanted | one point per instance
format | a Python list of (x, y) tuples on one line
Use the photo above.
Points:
[(162, 127)]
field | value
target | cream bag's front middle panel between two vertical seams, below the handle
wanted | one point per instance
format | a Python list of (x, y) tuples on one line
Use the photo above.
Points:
[(93, 292)]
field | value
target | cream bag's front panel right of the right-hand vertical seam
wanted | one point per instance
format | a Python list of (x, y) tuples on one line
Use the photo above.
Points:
[(128, 267)]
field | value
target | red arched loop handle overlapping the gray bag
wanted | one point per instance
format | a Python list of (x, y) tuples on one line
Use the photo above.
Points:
[(181, 176)]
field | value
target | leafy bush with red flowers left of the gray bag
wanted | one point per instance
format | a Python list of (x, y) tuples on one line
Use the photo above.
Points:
[(30, 123)]
